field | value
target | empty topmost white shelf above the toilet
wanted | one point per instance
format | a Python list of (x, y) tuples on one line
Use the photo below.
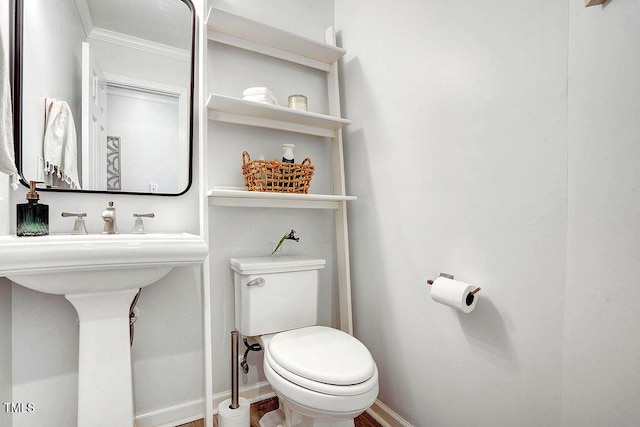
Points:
[(235, 30)]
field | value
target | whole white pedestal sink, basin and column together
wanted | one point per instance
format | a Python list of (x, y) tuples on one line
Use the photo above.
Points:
[(99, 275)]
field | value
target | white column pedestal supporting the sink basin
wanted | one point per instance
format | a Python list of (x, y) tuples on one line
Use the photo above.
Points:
[(105, 391)]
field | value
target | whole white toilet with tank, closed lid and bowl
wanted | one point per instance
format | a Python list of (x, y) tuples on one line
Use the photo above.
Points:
[(323, 377)]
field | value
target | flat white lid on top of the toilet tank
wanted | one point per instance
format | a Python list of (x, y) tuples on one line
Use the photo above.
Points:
[(277, 264)]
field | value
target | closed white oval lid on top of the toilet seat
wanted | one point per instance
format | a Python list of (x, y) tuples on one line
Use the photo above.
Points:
[(322, 354)]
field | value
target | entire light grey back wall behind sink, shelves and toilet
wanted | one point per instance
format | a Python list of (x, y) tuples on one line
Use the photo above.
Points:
[(167, 353)]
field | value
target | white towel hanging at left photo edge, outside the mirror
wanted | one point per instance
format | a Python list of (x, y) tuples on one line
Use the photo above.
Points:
[(7, 155)]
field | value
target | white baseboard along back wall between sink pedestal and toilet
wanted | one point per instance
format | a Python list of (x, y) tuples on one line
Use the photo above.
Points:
[(191, 411)]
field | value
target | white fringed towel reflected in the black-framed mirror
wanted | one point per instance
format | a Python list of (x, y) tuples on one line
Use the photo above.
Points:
[(60, 142)]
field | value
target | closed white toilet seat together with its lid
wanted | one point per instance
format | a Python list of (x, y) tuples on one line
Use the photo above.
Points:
[(322, 359)]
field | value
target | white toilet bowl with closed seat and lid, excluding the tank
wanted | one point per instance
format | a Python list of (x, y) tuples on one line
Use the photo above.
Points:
[(323, 376)]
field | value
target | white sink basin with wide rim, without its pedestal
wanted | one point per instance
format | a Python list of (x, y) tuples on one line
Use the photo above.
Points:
[(70, 264)]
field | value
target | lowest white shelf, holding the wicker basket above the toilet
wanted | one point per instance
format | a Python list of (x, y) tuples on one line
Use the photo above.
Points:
[(240, 197)]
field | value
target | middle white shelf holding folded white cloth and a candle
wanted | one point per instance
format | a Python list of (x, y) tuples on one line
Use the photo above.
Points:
[(234, 110)]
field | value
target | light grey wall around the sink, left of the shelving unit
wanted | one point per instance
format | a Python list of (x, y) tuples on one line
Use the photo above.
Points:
[(167, 353)]
